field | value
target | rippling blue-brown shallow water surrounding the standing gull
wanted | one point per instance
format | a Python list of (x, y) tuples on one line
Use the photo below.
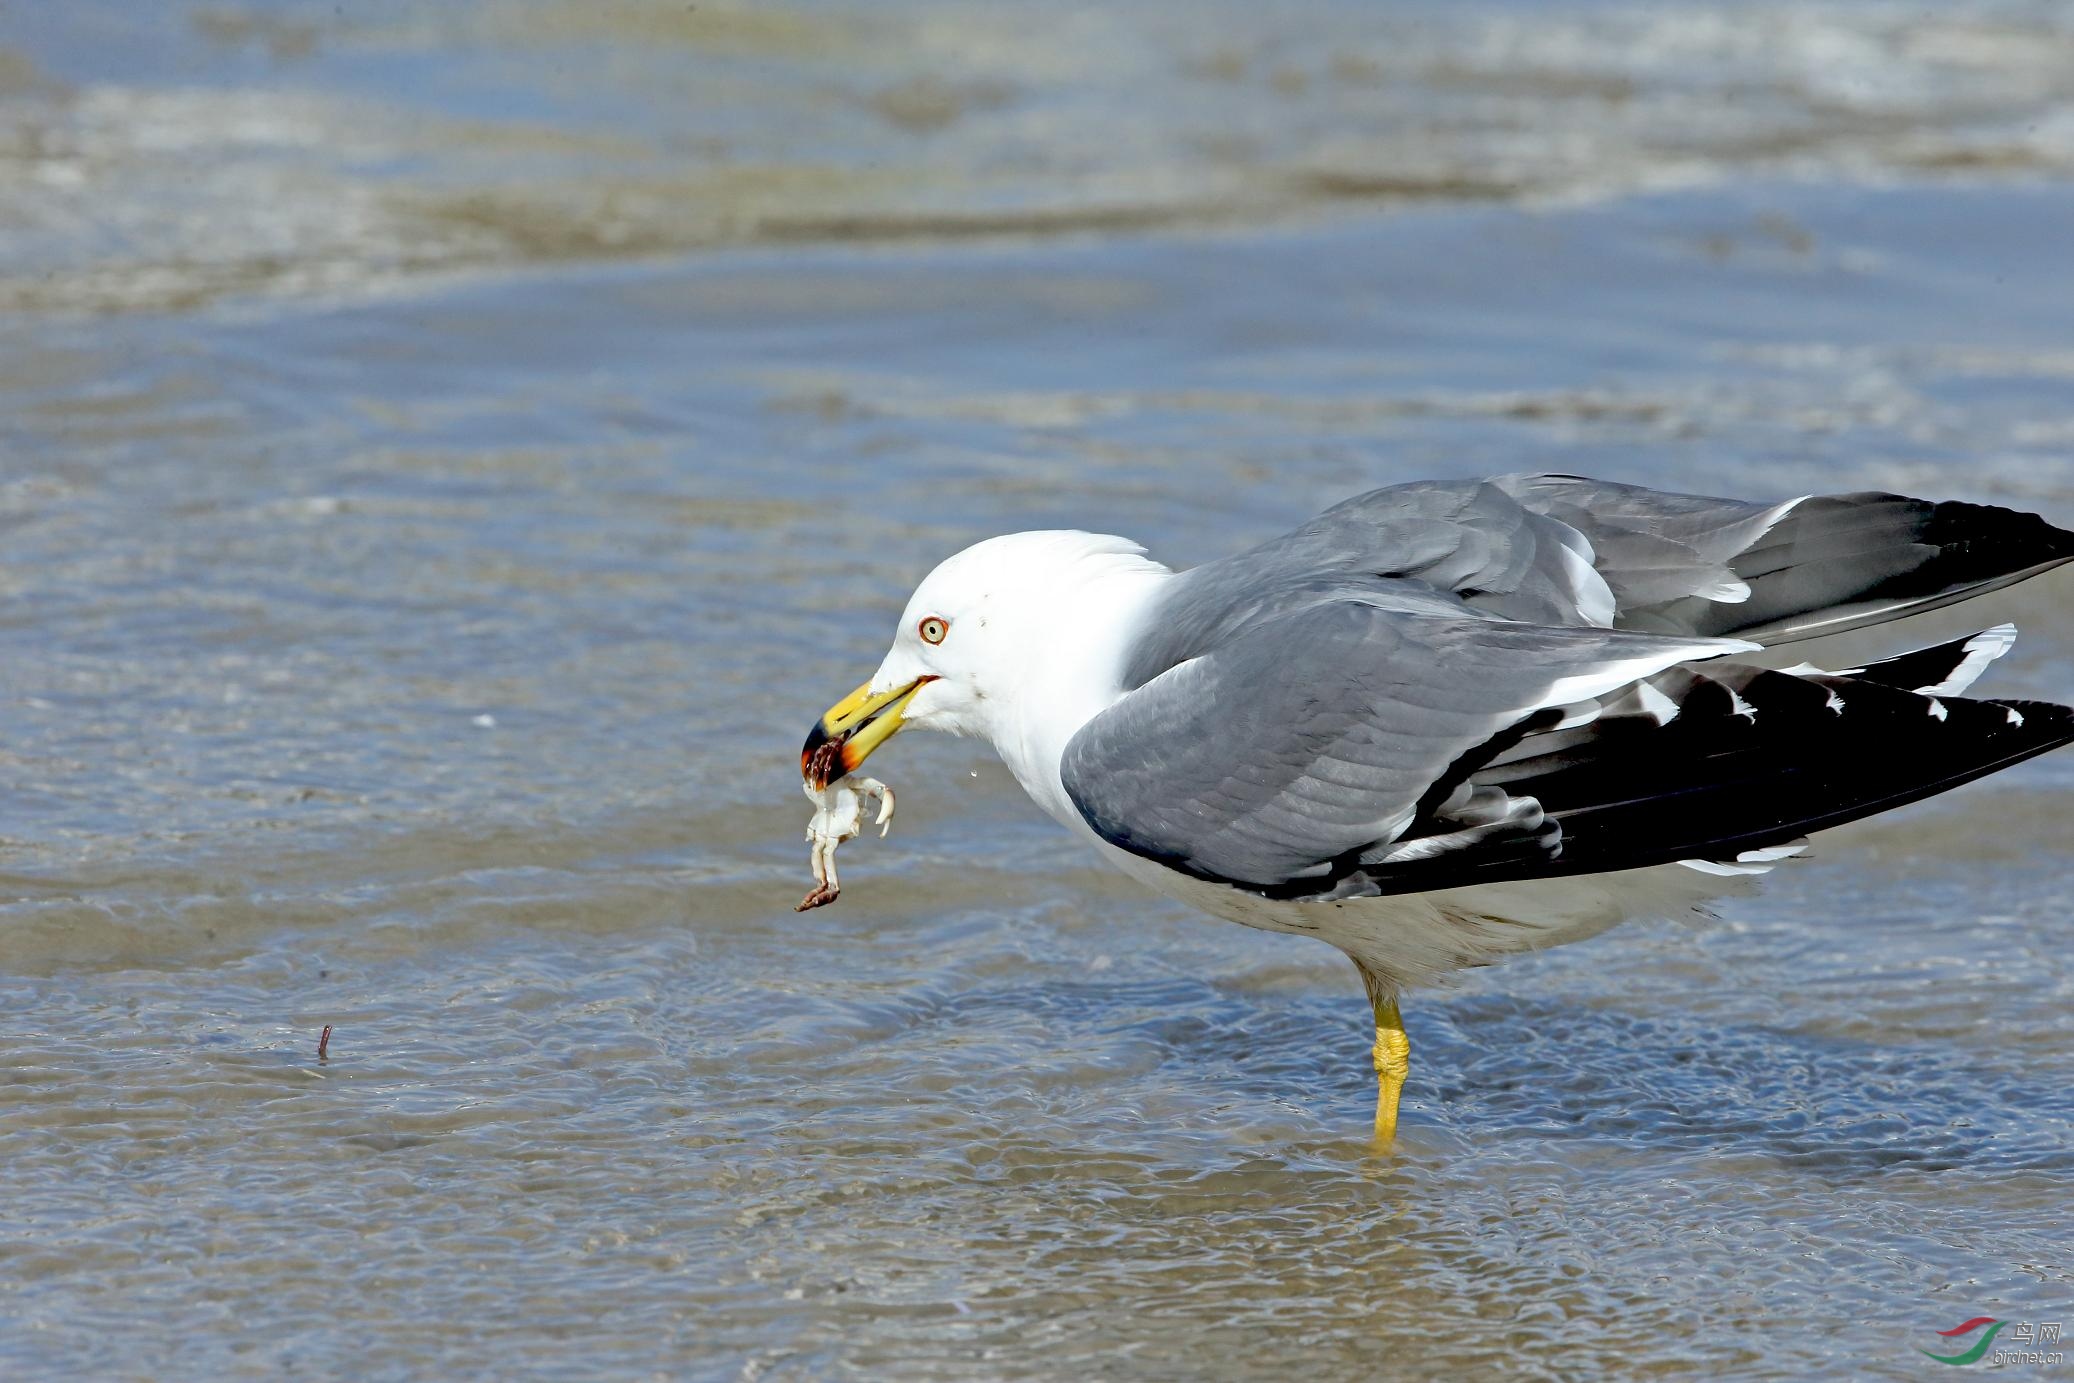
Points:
[(451, 461)]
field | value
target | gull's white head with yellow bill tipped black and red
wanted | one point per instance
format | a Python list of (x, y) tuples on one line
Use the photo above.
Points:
[(1019, 625)]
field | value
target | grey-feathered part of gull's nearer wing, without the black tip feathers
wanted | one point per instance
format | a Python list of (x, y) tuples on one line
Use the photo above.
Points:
[(1308, 745)]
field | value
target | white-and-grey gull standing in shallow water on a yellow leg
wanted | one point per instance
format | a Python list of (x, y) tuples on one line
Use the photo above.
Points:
[(1457, 721)]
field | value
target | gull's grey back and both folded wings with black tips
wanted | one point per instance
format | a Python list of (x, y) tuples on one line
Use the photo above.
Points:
[(1370, 704)]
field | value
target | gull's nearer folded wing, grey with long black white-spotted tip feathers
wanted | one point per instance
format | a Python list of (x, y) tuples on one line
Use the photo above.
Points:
[(1357, 752)]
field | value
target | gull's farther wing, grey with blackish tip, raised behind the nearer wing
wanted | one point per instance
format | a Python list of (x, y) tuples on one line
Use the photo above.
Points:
[(1571, 551)]
